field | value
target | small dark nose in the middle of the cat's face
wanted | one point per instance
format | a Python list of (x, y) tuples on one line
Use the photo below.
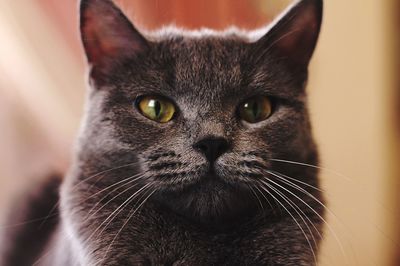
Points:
[(212, 147)]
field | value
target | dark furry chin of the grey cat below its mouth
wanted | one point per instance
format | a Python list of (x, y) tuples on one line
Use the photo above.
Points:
[(211, 201)]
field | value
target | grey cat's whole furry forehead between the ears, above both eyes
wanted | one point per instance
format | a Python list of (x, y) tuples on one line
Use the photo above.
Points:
[(204, 69)]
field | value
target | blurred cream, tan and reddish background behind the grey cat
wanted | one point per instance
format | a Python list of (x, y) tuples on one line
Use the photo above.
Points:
[(353, 88)]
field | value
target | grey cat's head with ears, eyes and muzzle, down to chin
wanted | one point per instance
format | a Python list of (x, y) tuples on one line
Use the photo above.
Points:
[(197, 118)]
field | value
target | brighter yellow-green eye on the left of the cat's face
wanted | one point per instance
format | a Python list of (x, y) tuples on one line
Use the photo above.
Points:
[(156, 108)]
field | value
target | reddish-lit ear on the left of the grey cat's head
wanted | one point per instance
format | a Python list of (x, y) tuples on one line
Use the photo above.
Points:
[(108, 36)]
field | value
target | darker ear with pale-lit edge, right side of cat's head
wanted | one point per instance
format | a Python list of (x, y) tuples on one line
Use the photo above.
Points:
[(293, 36)]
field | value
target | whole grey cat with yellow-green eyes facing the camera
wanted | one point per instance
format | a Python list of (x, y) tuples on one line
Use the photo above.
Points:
[(195, 149)]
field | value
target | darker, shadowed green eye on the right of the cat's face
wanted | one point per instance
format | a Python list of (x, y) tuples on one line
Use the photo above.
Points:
[(255, 109)]
